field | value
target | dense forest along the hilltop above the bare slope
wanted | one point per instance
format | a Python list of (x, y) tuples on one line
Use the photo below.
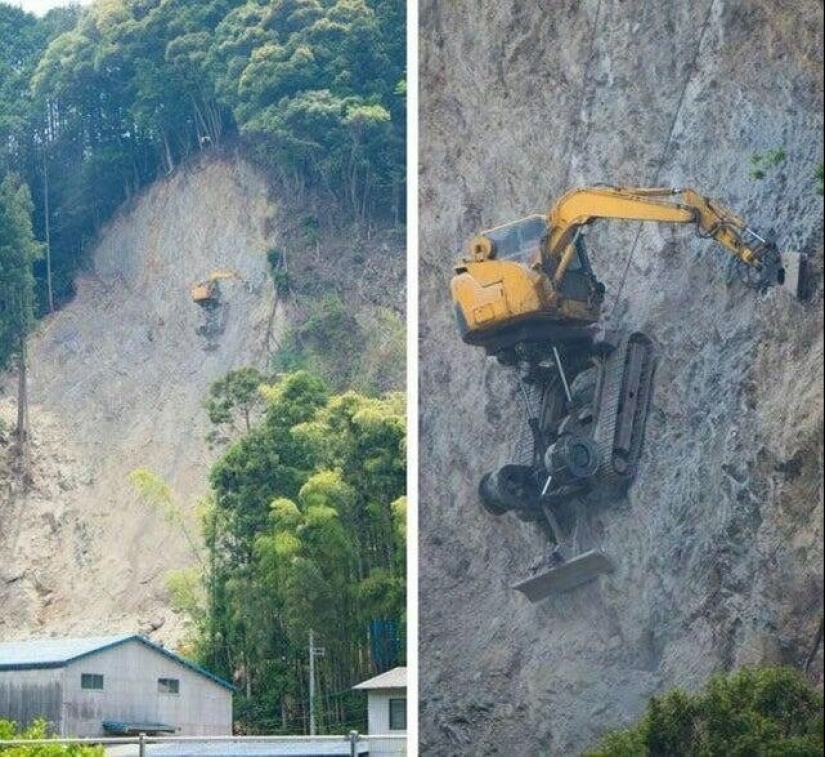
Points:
[(97, 102)]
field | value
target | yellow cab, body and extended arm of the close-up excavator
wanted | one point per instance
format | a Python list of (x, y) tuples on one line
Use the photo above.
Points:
[(528, 273)]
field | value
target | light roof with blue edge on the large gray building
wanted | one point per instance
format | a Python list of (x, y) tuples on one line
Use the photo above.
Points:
[(56, 653)]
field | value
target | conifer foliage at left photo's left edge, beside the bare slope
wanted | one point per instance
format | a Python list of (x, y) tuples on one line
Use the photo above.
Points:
[(18, 250)]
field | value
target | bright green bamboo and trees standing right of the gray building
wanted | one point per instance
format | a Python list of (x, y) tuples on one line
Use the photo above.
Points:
[(307, 533)]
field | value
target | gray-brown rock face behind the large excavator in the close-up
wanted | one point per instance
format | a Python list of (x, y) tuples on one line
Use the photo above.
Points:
[(719, 542)]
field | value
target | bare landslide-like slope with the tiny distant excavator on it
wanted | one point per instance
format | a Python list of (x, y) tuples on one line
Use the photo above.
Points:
[(118, 379)]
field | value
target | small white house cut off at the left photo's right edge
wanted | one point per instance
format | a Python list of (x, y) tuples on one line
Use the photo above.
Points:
[(386, 711)]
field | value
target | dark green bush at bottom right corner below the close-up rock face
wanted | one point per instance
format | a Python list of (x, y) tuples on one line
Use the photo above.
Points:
[(770, 711)]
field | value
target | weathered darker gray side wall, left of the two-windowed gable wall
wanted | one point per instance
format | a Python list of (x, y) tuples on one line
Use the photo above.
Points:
[(26, 695)]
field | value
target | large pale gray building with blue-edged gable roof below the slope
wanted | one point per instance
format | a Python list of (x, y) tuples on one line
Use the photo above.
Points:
[(111, 685)]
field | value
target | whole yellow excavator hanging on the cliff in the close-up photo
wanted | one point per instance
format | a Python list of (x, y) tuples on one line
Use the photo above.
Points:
[(527, 294)]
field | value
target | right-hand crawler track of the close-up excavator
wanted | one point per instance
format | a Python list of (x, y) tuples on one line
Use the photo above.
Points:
[(625, 391)]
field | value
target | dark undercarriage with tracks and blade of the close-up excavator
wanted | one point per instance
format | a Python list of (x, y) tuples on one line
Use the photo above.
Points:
[(587, 403)]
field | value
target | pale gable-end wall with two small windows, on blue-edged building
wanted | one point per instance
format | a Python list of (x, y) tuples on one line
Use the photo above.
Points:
[(130, 694)]
